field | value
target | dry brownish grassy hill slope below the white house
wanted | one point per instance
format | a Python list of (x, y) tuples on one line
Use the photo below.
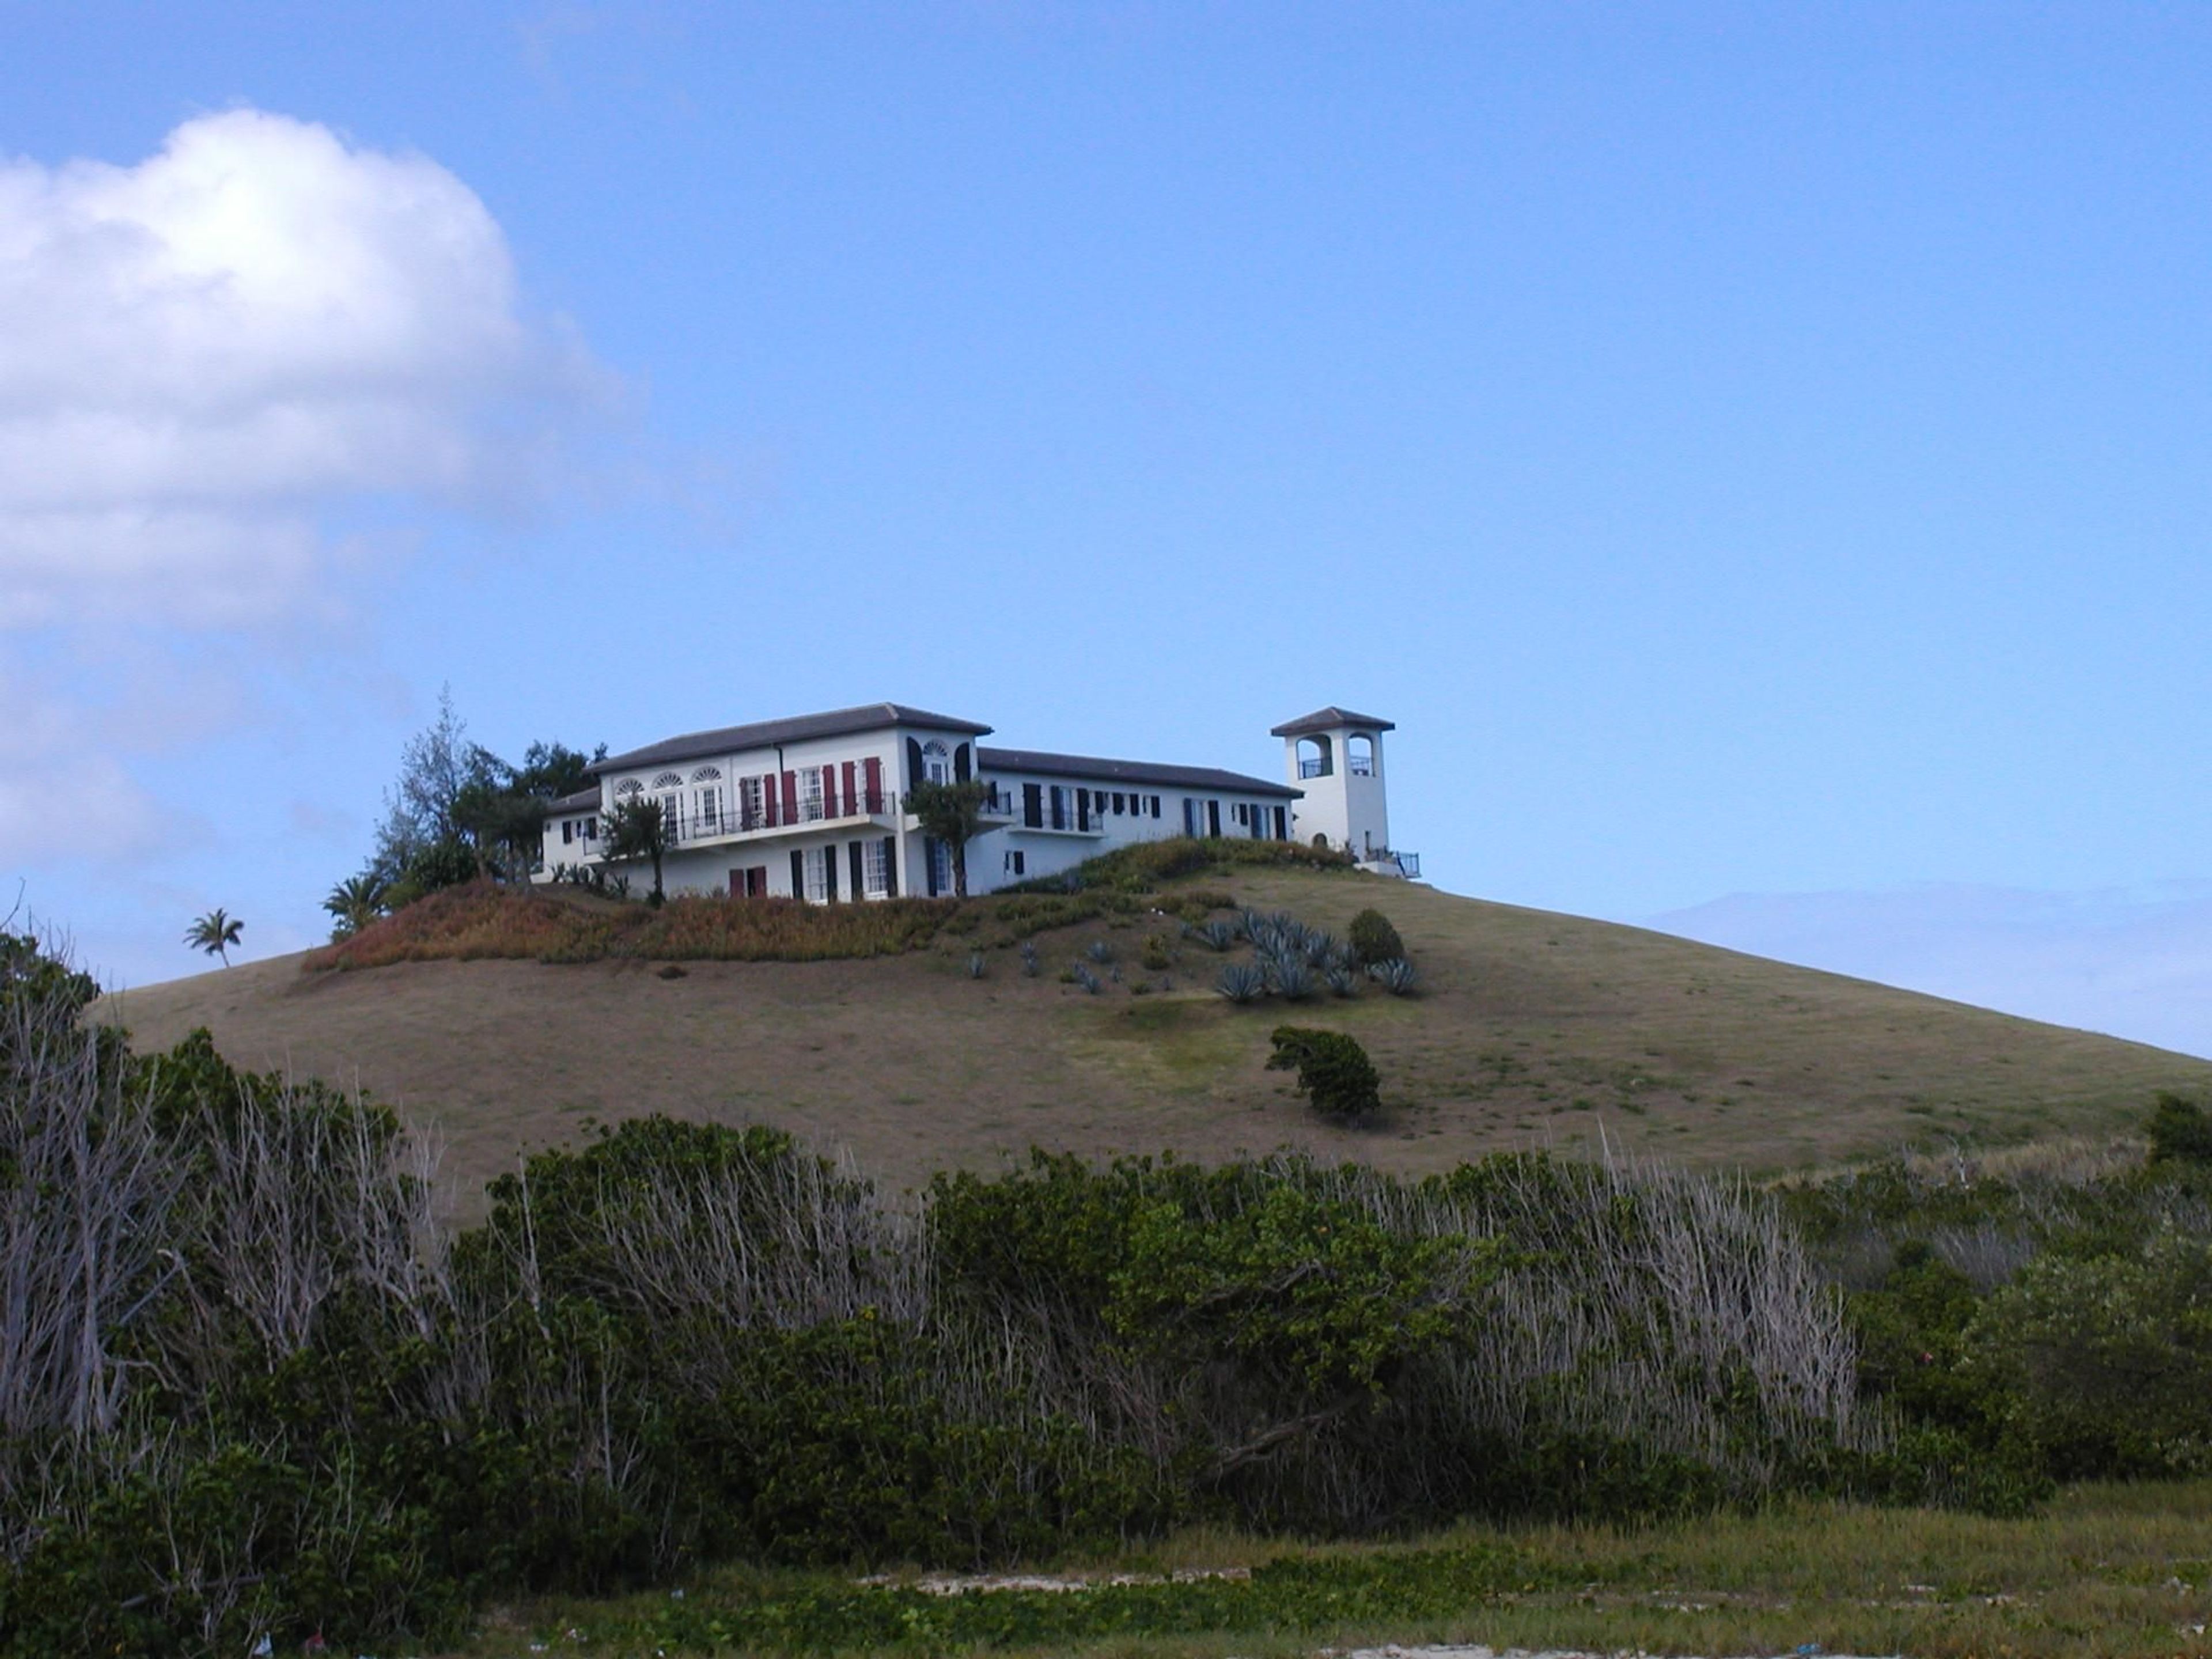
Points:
[(1532, 1030)]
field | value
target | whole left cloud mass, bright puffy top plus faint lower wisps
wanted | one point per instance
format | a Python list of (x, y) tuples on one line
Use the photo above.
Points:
[(216, 366)]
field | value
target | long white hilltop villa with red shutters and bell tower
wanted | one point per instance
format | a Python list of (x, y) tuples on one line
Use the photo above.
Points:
[(813, 806)]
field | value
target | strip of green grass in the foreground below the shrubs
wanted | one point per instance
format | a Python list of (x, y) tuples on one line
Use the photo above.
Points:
[(2105, 1572)]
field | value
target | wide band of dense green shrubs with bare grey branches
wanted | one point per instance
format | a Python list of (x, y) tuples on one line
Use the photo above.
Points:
[(260, 1388)]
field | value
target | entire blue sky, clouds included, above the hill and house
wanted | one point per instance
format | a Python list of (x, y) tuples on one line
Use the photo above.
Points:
[(1757, 455)]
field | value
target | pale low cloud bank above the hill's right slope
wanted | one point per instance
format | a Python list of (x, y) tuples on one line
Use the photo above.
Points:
[(2133, 963)]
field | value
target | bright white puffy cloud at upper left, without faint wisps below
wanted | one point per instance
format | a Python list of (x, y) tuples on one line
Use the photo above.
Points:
[(213, 351)]
